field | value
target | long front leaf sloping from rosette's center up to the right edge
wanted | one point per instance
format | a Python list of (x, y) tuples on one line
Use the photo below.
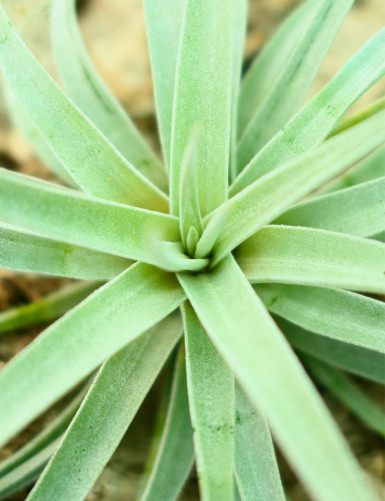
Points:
[(272, 194)]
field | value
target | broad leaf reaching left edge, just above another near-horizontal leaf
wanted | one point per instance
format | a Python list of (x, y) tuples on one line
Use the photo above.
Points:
[(78, 219)]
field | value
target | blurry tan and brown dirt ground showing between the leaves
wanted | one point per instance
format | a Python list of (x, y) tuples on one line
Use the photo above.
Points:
[(118, 47)]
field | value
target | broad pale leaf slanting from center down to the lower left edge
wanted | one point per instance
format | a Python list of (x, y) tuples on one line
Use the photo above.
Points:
[(80, 341)]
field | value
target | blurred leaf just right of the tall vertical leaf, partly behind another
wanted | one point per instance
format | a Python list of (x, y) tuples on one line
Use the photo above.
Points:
[(267, 66)]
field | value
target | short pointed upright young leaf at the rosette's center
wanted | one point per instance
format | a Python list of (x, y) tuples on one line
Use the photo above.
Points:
[(189, 212)]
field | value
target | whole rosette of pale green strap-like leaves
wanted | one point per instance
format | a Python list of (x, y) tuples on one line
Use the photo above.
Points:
[(244, 238)]
